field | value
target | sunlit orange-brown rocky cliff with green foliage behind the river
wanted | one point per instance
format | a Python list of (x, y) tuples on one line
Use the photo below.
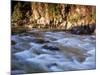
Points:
[(52, 16)]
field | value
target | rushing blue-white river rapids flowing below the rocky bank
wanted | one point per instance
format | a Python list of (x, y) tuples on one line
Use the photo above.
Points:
[(36, 52)]
